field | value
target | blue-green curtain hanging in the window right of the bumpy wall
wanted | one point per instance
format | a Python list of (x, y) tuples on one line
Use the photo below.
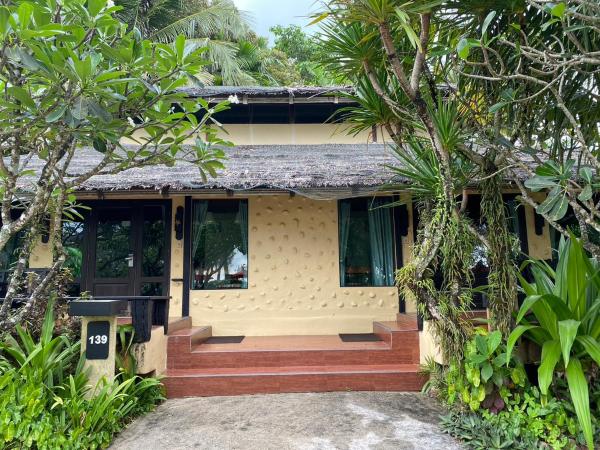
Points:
[(382, 243)]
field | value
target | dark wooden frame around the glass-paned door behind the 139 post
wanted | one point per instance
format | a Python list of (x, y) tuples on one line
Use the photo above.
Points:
[(136, 207)]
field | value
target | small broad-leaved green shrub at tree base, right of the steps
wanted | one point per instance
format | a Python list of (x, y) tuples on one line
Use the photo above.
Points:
[(483, 379)]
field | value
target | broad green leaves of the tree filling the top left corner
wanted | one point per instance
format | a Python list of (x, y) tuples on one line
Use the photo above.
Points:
[(69, 45)]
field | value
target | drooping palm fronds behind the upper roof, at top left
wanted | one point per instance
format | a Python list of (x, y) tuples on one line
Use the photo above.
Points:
[(216, 25)]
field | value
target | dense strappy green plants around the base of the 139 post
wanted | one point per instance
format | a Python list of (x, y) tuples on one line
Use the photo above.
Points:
[(44, 401)]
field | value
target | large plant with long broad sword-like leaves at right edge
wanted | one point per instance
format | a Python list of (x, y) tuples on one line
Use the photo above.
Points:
[(561, 314)]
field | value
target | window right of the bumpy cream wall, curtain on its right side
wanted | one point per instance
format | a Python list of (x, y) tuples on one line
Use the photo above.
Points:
[(366, 235)]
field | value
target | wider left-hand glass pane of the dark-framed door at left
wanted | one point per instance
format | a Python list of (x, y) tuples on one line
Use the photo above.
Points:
[(113, 243)]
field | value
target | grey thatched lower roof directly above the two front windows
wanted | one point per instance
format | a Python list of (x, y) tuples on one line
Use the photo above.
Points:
[(329, 167)]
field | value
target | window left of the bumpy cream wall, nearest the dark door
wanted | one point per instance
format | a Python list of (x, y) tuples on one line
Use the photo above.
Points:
[(220, 244)]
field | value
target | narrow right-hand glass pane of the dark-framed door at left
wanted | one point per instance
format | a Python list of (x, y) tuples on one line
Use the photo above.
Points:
[(153, 242)]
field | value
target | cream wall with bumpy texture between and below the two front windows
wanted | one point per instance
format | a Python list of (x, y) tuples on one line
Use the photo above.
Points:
[(293, 281)]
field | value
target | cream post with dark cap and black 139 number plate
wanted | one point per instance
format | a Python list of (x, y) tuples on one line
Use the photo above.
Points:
[(98, 336)]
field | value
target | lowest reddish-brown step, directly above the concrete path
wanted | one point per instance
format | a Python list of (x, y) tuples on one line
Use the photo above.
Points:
[(265, 380)]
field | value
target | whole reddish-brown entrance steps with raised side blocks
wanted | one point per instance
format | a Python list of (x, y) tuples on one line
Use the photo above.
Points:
[(387, 361)]
